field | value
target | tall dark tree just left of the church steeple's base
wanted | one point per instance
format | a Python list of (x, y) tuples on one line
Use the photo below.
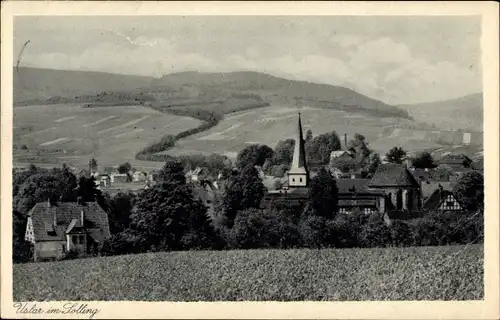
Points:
[(245, 190)]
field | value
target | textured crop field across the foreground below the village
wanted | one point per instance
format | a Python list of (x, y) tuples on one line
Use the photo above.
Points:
[(424, 273)]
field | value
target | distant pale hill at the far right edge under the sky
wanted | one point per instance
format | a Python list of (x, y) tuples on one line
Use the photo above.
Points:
[(464, 113)]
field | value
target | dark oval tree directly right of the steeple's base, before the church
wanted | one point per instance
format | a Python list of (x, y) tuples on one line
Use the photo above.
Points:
[(323, 195)]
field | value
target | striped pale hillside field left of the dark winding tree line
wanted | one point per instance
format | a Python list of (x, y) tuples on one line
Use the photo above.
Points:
[(72, 134)]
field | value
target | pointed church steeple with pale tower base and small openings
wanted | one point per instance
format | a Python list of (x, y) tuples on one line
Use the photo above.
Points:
[(298, 176)]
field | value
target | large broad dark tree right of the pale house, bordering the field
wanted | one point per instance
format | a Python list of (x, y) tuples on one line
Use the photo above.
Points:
[(168, 217)]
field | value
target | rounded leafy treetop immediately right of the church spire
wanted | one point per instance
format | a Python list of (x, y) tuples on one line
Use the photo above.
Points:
[(318, 149)]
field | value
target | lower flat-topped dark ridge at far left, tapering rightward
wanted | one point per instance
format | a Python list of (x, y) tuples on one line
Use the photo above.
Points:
[(35, 85)]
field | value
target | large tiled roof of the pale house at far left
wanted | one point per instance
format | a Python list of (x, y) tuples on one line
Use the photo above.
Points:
[(95, 220)]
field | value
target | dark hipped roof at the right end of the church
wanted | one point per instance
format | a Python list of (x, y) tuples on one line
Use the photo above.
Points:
[(392, 175)]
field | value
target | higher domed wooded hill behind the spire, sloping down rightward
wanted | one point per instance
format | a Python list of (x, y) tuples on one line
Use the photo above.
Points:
[(209, 87)]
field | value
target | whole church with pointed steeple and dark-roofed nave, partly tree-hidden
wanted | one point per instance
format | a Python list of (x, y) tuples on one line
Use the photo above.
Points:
[(392, 188)]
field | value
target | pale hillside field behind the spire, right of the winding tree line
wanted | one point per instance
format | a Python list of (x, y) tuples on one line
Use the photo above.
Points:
[(271, 124)]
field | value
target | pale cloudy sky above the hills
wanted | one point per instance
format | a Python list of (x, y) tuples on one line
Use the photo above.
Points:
[(398, 60)]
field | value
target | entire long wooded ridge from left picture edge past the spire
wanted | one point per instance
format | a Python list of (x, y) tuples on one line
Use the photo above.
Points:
[(187, 89)]
